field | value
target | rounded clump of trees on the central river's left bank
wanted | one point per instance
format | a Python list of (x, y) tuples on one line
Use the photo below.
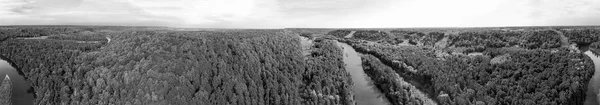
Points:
[(326, 81)]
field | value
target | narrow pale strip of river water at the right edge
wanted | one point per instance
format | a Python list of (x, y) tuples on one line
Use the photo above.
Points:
[(594, 85)]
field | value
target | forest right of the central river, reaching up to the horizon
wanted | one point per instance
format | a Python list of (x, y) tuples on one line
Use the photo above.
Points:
[(513, 67)]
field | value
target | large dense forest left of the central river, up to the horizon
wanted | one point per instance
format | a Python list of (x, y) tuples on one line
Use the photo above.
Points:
[(179, 67)]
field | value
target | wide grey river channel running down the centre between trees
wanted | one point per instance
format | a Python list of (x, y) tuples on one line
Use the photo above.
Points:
[(365, 93)]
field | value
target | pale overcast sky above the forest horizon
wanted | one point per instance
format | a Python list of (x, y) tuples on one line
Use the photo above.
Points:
[(301, 13)]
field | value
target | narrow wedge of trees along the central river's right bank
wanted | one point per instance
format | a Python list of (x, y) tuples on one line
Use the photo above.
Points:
[(398, 84)]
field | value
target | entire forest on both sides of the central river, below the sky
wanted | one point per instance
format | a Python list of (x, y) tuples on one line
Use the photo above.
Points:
[(157, 65)]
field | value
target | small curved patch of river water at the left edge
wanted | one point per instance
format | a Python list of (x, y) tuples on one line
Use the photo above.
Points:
[(20, 94)]
